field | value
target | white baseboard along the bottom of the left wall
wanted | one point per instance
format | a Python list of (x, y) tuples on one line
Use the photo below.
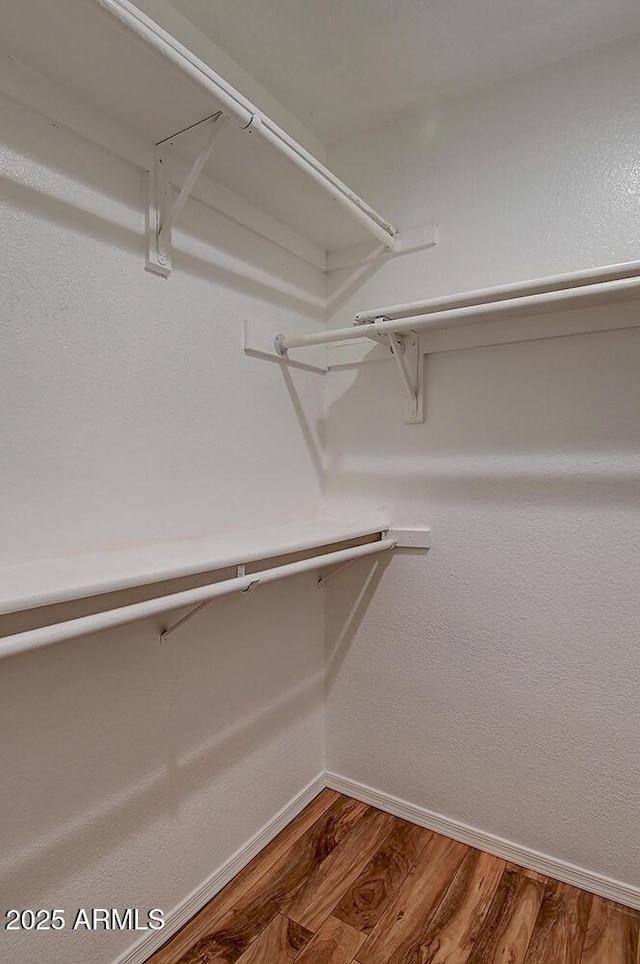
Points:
[(180, 915)]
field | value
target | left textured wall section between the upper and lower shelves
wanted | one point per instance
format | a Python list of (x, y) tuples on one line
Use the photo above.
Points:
[(134, 413)]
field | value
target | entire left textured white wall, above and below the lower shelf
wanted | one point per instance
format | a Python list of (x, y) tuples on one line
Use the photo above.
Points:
[(129, 413)]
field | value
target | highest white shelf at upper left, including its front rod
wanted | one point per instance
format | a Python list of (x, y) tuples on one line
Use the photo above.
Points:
[(127, 67)]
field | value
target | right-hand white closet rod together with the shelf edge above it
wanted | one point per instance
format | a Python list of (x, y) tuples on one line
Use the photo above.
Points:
[(561, 292)]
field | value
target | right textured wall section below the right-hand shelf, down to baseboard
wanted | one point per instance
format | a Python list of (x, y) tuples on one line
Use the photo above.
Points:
[(495, 681)]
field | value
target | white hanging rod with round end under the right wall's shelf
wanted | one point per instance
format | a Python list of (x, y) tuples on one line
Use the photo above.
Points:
[(547, 301)]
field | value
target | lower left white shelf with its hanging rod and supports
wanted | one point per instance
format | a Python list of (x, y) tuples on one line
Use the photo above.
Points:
[(52, 581)]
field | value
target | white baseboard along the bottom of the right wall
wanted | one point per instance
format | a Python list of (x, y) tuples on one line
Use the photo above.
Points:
[(524, 856)]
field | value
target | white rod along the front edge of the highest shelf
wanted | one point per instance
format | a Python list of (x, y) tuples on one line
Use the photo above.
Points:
[(246, 115)]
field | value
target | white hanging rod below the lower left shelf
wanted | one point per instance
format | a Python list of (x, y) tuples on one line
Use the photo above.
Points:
[(72, 628)]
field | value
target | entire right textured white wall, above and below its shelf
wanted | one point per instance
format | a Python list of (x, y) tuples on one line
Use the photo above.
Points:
[(496, 680)]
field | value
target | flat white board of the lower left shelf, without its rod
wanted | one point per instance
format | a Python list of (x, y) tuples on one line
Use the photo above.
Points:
[(49, 581)]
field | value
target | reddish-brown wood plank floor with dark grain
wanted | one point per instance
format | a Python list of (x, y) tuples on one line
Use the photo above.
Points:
[(347, 884)]
